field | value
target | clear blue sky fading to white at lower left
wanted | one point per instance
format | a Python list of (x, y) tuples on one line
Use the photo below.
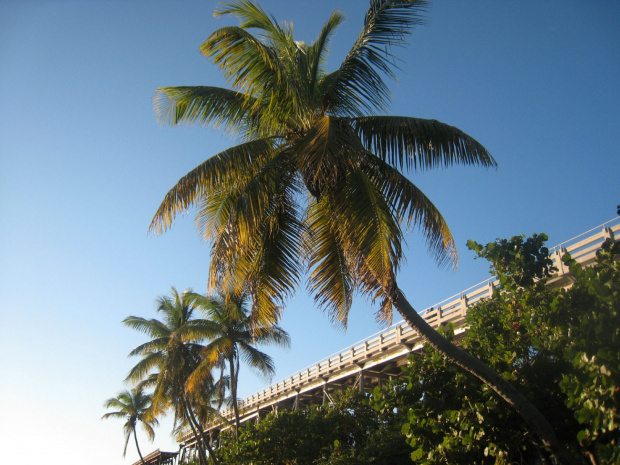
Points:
[(84, 165)]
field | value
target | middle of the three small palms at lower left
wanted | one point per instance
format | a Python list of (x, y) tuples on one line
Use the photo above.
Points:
[(174, 352)]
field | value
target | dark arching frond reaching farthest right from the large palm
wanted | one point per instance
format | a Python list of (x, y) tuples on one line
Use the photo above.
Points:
[(419, 144)]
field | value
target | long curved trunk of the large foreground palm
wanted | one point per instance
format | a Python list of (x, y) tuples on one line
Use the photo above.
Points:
[(532, 417)]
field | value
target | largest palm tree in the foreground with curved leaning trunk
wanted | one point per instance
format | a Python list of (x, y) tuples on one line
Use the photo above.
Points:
[(318, 174)]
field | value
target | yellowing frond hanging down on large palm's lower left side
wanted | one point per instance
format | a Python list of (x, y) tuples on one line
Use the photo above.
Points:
[(260, 228)]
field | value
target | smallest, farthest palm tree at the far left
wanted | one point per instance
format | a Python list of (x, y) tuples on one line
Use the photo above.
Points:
[(132, 406)]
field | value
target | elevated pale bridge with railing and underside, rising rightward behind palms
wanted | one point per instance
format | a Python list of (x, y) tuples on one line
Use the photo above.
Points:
[(370, 362)]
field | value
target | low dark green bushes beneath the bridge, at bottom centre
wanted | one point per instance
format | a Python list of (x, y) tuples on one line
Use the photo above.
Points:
[(348, 431)]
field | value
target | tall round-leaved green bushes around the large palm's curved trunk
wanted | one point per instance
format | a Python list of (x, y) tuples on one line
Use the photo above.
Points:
[(560, 347)]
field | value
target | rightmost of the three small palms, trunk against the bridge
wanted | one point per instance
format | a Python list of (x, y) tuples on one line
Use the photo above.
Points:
[(231, 338)]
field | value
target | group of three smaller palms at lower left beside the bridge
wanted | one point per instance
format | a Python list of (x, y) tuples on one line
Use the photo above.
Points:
[(185, 362)]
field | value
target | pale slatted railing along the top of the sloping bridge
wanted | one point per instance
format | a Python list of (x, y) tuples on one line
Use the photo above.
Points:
[(582, 248)]
